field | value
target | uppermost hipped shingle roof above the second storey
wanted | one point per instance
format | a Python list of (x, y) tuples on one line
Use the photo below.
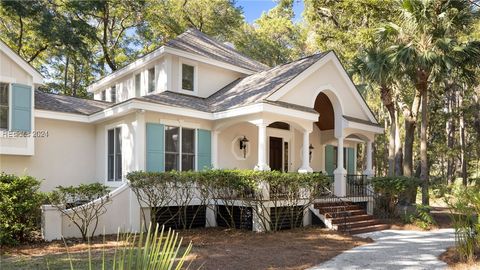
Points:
[(197, 42)]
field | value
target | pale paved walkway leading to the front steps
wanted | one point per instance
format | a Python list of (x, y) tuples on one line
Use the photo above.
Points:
[(396, 249)]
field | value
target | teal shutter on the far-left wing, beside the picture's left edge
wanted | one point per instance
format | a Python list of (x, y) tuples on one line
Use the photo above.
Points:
[(21, 107)]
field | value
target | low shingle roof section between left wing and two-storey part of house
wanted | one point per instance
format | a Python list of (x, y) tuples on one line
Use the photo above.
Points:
[(68, 104)]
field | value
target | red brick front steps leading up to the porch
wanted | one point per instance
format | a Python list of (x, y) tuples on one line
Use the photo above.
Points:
[(347, 217)]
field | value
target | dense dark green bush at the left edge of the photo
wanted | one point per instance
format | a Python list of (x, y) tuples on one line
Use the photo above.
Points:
[(20, 203)]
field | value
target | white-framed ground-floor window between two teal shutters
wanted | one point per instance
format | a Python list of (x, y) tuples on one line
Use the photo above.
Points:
[(179, 149)]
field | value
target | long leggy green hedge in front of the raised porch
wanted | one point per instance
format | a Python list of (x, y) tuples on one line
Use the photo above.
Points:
[(226, 187)]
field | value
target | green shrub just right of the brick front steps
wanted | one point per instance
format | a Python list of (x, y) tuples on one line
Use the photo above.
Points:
[(390, 190)]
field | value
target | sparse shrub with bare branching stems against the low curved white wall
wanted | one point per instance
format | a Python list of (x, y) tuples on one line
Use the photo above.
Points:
[(74, 203)]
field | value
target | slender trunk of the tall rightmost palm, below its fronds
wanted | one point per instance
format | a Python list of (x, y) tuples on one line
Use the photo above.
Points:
[(423, 148)]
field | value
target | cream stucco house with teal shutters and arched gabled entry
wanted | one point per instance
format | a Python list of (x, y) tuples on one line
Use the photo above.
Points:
[(185, 106)]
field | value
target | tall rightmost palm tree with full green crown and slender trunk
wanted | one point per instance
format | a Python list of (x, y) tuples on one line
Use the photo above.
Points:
[(426, 45)]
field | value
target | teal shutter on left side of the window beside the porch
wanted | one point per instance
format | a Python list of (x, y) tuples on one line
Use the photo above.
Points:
[(155, 148)]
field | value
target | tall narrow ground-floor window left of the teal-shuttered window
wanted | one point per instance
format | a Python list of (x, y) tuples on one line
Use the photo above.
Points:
[(114, 154)]
